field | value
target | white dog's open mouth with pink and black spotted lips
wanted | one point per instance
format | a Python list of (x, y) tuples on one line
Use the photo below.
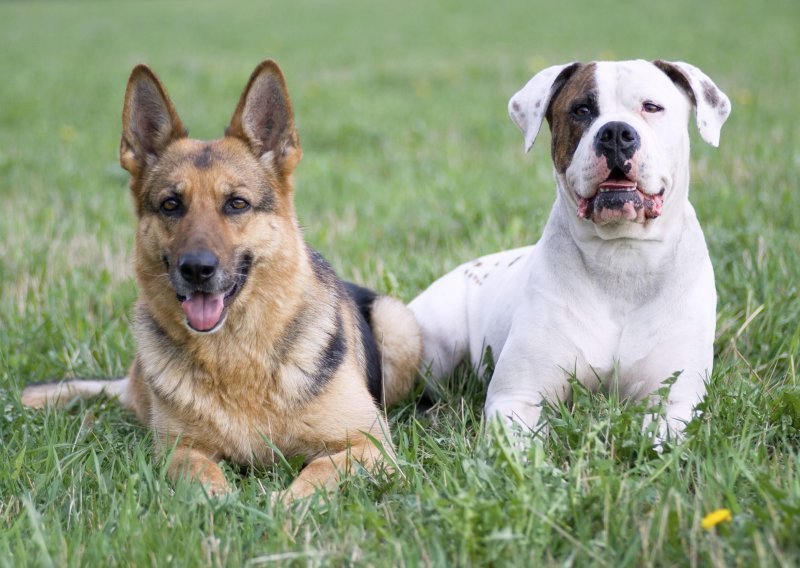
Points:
[(619, 199)]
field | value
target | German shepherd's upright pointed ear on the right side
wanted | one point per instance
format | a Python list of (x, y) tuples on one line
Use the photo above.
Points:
[(264, 119)]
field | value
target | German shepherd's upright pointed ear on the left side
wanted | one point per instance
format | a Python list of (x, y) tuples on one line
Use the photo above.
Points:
[(149, 121)]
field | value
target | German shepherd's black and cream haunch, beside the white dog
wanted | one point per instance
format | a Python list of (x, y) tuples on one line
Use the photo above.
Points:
[(398, 339)]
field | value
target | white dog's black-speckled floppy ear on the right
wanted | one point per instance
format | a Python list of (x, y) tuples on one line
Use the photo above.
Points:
[(711, 105)]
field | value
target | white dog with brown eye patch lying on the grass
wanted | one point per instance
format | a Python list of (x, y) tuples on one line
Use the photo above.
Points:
[(620, 287)]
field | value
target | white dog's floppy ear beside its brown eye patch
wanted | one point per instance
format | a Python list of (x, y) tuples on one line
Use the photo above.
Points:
[(528, 107)]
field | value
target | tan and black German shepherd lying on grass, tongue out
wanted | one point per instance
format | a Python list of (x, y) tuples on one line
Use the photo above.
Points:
[(247, 341)]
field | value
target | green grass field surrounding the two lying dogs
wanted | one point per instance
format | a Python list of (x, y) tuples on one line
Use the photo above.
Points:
[(411, 166)]
